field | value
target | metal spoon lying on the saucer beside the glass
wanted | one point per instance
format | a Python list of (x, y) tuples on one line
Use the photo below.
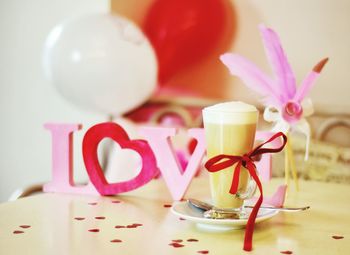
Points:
[(206, 206)]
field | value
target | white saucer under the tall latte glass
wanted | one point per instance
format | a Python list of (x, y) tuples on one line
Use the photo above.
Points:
[(183, 210)]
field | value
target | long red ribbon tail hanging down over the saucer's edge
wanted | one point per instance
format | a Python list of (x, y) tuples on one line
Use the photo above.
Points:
[(248, 238)]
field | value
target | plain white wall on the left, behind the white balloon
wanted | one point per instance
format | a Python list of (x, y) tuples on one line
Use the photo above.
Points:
[(28, 100)]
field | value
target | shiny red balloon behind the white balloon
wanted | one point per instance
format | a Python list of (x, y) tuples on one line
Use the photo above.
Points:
[(184, 32)]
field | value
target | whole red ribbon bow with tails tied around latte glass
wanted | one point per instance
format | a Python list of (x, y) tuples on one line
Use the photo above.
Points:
[(222, 161)]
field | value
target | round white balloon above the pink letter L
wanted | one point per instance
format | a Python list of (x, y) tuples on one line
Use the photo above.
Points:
[(101, 62)]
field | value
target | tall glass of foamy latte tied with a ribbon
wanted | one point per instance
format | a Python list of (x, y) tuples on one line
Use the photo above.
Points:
[(230, 129)]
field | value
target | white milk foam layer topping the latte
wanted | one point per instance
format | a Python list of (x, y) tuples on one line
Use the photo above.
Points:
[(234, 112)]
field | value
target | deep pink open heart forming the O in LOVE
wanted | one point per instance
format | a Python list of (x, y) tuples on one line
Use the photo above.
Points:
[(115, 132)]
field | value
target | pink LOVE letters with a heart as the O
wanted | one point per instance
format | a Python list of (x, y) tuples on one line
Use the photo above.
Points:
[(156, 152)]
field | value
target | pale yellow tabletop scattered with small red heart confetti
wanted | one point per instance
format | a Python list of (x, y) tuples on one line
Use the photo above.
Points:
[(53, 228)]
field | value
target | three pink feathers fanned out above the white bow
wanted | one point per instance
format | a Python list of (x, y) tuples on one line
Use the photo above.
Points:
[(281, 90)]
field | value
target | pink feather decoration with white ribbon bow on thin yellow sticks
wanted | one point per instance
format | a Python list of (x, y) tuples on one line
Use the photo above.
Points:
[(279, 93)]
